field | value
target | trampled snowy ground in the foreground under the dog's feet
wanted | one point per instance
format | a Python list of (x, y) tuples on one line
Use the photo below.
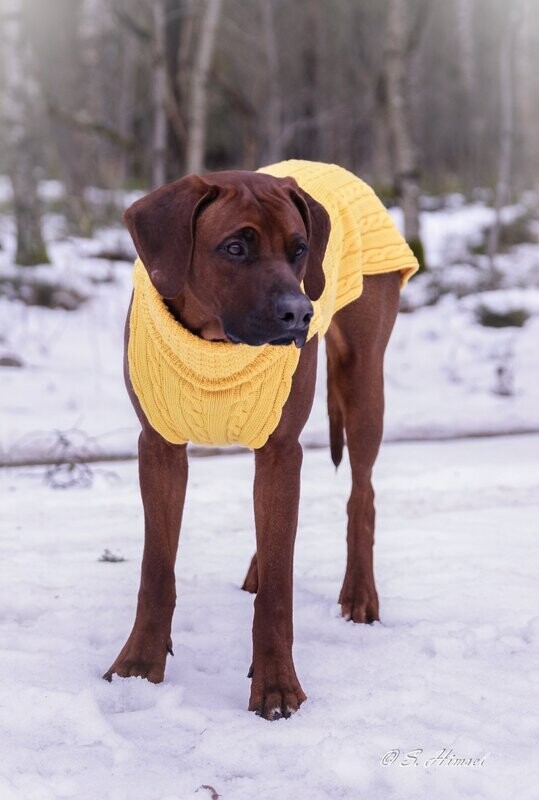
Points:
[(450, 673)]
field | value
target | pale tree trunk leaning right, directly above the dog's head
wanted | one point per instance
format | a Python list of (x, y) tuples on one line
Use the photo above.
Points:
[(196, 138)]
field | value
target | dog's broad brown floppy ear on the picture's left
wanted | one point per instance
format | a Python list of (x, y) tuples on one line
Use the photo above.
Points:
[(162, 224)]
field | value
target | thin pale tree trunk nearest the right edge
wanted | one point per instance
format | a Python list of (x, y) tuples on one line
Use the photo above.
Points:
[(507, 103)]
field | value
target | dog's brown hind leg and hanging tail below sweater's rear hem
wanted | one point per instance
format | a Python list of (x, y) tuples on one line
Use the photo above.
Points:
[(355, 344)]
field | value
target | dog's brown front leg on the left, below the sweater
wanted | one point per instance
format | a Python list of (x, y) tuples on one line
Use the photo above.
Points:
[(163, 479)]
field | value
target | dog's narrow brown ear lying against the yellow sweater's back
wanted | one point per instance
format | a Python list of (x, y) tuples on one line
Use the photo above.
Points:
[(318, 227)]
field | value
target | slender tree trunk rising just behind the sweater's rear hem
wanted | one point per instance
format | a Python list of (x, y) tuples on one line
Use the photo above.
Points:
[(405, 163)]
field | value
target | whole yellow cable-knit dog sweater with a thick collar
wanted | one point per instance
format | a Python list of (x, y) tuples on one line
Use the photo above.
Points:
[(216, 393)]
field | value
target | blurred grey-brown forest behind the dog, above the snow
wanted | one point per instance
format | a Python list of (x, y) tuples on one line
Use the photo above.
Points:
[(416, 96)]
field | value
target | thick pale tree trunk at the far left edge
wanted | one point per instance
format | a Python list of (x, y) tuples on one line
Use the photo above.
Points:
[(20, 101)]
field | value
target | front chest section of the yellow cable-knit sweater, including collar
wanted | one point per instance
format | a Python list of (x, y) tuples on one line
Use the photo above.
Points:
[(208, 393)]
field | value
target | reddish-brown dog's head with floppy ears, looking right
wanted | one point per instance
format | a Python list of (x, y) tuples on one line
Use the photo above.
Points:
[(236, 246)]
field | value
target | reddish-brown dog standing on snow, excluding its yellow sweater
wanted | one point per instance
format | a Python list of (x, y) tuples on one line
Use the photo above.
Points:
[(229, 253)]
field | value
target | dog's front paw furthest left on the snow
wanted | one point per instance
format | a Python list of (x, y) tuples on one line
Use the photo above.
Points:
[(141, 657)]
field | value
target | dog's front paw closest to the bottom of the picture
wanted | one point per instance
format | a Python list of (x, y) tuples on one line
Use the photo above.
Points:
[(275, 691)]
